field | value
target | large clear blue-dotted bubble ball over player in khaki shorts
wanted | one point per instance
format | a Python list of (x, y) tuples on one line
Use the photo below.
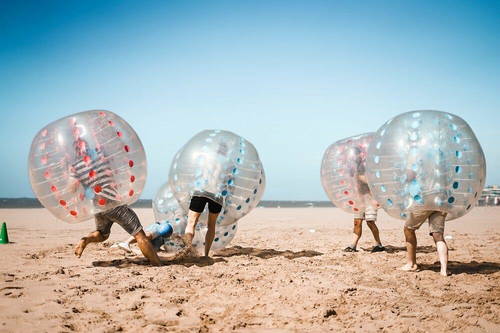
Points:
[(426, 160)]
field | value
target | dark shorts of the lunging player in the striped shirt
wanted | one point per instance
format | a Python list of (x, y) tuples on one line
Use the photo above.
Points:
[(123, 216)]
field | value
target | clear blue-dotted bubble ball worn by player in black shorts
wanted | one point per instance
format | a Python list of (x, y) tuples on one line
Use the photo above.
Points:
[(224, 165)]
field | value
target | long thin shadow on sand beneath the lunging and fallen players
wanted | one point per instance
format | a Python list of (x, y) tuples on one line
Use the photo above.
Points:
[(187, 262)]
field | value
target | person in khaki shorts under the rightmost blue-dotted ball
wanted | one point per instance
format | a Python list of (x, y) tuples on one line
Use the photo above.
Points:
[(415, 219)]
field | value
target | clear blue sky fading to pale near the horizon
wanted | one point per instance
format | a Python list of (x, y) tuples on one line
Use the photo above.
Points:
[(290, 76)]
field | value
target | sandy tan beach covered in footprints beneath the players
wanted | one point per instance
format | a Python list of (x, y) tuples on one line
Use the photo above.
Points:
[(284, 271)]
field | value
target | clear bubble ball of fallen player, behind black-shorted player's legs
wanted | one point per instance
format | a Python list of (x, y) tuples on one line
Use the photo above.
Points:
[(167, 209)]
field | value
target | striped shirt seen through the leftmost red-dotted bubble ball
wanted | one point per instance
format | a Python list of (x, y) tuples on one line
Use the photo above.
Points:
[(96, 175)]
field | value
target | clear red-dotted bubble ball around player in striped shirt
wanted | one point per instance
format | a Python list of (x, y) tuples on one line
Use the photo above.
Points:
[(86, 163)]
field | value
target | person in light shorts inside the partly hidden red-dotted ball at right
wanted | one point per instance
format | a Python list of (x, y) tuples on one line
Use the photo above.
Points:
[(370, 213)]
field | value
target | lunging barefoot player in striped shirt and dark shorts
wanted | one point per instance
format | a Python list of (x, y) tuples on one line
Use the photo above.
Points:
[(92, 173)]
